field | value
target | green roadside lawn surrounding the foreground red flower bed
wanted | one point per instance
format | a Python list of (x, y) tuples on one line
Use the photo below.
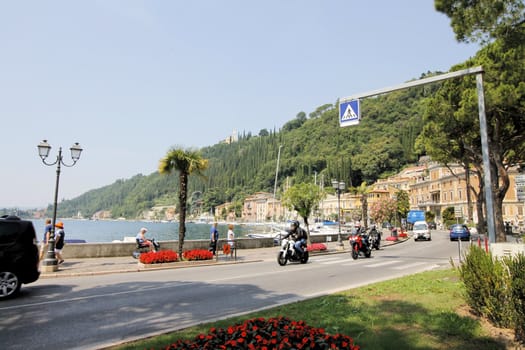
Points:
[(414, 312)]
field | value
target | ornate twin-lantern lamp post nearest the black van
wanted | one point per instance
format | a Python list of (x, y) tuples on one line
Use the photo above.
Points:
[(50, 262)]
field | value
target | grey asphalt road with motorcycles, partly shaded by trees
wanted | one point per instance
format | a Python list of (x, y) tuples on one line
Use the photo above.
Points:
[(81, 312)]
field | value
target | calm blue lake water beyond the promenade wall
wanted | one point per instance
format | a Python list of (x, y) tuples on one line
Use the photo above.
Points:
[(103, 231)]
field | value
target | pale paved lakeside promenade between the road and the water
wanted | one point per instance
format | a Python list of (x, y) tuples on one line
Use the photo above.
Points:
[(122, 264)]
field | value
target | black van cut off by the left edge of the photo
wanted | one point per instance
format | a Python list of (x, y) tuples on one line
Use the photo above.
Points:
[(18, 255)]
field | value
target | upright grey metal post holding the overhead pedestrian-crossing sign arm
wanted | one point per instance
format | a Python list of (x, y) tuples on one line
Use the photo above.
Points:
[(486, 159)]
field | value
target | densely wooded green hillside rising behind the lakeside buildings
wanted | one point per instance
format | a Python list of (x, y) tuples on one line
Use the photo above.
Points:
[(313, 146)]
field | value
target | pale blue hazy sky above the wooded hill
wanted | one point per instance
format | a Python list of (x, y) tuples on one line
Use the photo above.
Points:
[(129, 79)]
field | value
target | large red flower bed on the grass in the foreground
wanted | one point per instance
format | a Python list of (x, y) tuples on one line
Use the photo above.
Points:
[(274, 333)]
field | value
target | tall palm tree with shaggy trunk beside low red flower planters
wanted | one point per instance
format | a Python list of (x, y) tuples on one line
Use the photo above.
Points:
[(186, 162)]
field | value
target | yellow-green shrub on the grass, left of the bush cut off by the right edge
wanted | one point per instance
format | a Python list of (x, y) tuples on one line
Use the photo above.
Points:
[(487, 289)]
